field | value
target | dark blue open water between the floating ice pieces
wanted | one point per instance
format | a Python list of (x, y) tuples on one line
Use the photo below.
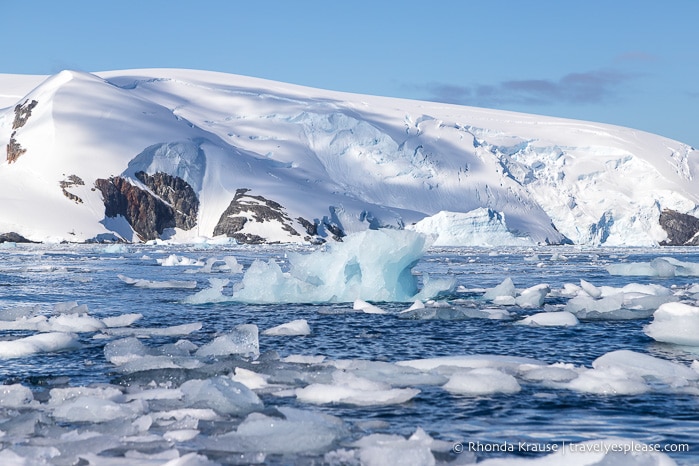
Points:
[(43, 276)]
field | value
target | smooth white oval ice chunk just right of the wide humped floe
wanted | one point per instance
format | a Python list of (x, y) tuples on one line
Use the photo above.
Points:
[(481, 382)]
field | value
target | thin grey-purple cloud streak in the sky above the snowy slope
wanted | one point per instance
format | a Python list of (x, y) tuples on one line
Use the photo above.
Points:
[(590, 87)]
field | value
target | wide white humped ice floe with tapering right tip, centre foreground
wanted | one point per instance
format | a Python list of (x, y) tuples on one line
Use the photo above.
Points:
[(347, 388)]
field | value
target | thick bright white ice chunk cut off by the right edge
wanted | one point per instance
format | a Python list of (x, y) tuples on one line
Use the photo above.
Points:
[(676, 323)]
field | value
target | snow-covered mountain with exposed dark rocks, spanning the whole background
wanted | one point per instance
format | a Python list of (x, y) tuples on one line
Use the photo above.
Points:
[(181, 154)]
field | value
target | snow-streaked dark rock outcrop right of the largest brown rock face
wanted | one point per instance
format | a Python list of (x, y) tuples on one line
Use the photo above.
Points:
[(260, 209)]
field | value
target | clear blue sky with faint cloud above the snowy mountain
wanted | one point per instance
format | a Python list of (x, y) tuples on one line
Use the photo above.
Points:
[(627, 62)]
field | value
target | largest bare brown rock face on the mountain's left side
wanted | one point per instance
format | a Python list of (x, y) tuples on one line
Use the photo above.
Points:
[(149, 213)]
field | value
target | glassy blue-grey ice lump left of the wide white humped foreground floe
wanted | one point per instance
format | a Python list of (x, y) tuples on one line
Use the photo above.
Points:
[(222, 394)]
